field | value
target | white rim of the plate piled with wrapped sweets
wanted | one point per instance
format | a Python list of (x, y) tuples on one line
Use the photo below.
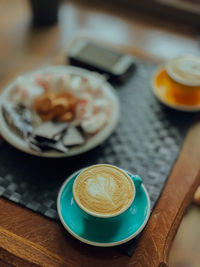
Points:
[(94, 141)]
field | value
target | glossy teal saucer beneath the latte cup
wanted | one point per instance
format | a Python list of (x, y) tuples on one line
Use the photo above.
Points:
[(101, 233)]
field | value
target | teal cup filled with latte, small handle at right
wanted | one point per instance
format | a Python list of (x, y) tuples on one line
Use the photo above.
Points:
[(104, 193)]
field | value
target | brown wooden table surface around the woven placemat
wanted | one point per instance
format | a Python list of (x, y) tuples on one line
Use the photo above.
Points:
[(28, 239)]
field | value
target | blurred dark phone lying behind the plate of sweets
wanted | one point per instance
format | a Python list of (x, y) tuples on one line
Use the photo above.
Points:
[(117, 66)]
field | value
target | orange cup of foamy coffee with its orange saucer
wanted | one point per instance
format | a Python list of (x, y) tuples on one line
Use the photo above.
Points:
[(177, 84)]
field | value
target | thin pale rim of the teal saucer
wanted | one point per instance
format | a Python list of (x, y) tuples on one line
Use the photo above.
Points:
[(97, 244)]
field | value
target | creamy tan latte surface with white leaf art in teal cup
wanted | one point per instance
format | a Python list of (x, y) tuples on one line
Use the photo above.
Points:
[(103, 189)]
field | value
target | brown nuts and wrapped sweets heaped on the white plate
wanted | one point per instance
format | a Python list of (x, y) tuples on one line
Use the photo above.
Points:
[(58, 110)]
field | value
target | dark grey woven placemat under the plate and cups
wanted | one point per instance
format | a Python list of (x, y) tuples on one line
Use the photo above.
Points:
[(146, 141)]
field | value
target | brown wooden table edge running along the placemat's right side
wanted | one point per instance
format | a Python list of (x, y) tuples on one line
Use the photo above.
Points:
[(179, 190)]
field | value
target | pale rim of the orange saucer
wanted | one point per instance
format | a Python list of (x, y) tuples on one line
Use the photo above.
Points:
[(178, 107)]
